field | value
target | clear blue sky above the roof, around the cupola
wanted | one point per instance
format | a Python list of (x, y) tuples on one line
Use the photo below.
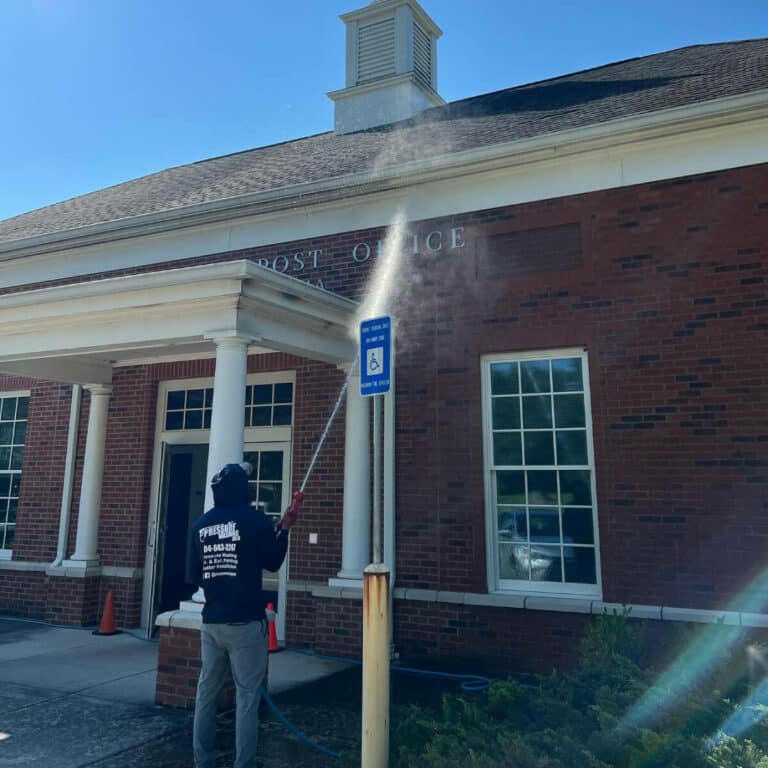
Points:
[(101, 91)]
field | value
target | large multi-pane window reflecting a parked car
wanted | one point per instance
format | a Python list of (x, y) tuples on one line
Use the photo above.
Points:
[(541, 472)]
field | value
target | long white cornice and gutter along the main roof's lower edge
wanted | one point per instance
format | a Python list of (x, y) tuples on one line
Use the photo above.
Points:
[(610, 135)]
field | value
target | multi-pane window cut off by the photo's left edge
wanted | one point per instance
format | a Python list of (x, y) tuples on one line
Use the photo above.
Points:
[(13, 430)]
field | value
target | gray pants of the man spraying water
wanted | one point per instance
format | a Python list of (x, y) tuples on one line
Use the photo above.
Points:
[(243, 648)]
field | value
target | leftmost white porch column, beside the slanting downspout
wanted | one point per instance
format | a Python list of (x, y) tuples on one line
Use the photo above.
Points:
[(93, 473)]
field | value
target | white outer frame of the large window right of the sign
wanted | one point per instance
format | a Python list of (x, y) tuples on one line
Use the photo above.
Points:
[(495, 583)]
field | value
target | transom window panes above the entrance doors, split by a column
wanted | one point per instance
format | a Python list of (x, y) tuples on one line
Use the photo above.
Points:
[(266, 405)]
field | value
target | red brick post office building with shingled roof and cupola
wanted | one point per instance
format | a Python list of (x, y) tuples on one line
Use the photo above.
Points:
[(578, 422)]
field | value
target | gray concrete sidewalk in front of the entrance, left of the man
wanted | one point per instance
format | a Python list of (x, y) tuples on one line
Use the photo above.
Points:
[(70, 699)]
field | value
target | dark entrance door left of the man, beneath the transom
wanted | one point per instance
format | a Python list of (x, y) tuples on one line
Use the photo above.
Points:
[(181, 504)]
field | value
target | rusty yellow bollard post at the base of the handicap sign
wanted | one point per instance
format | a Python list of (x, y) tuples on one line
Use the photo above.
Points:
[(375, 729)]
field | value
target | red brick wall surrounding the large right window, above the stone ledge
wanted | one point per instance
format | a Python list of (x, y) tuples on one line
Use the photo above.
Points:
[(671, 306)]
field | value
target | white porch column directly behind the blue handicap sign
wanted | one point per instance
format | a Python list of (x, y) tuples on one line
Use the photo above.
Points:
[(356, 529)]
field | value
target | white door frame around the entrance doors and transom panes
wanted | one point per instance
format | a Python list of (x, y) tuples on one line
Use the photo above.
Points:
[(252, 435)]
